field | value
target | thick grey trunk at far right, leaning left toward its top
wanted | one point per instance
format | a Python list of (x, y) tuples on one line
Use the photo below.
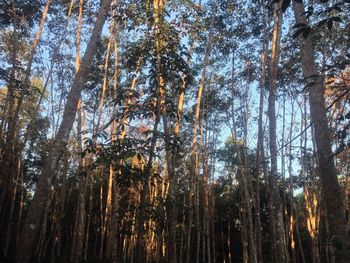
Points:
[(330, 188)]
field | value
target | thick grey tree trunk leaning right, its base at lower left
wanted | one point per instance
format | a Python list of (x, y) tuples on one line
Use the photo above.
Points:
[(40, 198)]
